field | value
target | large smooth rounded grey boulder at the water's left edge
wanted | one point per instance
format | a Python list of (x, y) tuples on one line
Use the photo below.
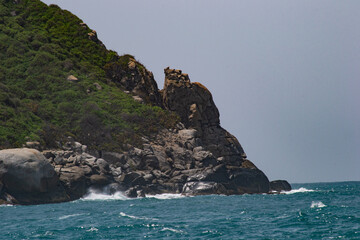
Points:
[(29, 178)]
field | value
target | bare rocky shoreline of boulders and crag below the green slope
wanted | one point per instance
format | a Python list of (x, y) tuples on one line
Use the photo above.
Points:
[(197, 157)]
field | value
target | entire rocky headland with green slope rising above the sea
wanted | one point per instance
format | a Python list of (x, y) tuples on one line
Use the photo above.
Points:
[(139, 139)]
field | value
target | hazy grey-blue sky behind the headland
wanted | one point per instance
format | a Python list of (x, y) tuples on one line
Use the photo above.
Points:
[(285, 75)]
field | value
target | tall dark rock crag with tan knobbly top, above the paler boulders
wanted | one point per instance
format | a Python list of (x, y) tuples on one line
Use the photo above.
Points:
[(194, 104)]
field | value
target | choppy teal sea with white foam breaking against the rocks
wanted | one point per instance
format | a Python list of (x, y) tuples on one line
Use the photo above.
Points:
[(309, 211)]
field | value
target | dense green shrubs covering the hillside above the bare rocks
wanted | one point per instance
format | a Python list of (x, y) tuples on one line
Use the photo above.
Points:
[(40, 46)]
